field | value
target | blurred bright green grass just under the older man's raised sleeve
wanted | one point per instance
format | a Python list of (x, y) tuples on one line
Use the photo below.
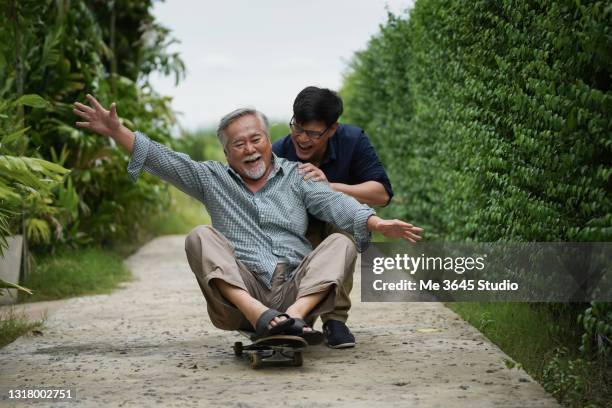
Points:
[(184, 214)]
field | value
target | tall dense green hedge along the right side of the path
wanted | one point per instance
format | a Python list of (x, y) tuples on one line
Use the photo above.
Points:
[(494, 122)]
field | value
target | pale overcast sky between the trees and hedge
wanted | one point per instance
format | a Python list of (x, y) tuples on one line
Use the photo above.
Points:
[(262, 53)]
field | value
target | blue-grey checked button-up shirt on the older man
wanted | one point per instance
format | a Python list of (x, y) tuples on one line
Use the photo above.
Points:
[(266, 227)]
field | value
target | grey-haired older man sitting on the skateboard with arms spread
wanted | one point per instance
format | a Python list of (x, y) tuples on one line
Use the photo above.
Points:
[(254, 266)]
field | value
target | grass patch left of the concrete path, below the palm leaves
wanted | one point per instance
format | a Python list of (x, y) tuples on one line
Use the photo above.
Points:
[(69, 273)]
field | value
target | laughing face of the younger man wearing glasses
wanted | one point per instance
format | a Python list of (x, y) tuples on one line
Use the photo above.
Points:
[(310, 140)]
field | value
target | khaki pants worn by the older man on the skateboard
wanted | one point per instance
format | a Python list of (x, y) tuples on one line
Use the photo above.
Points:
[(211, 256)]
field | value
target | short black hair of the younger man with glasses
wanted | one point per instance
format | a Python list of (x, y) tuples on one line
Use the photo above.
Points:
[(317, 104)]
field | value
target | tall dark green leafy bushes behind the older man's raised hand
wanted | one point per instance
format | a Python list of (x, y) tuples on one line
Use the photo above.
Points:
[(62, 50)]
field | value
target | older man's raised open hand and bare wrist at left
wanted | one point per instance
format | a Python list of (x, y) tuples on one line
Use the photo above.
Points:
[(104, 122)]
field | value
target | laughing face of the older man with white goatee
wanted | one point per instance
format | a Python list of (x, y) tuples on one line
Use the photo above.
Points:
[(248, 148)]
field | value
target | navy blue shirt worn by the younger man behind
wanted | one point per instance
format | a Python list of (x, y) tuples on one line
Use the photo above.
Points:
[(349, 158)]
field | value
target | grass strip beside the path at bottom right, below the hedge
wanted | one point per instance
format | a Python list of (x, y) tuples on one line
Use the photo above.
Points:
[(544, 340)]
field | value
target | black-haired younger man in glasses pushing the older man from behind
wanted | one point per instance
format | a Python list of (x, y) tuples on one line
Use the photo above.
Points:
[(343, 156)]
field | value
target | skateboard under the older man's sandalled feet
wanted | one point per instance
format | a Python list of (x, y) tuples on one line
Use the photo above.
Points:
[(272, 349)]
